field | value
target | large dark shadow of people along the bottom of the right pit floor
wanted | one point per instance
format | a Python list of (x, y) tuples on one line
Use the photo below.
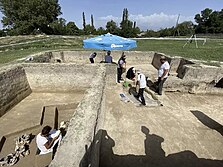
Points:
[(154, 155)]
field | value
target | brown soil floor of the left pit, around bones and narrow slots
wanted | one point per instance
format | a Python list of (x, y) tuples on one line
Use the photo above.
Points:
[(25, 118)]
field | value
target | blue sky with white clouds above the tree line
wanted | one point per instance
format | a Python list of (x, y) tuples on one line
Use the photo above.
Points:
[(148, 14)]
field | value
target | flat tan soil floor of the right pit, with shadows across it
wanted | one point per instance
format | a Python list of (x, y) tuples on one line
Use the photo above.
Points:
[(186, 130)]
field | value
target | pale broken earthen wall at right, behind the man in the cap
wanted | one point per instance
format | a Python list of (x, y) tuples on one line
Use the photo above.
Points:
[(190, 76)]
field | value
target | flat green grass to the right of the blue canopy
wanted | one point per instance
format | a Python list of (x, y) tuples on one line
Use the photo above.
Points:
[(212, 50)]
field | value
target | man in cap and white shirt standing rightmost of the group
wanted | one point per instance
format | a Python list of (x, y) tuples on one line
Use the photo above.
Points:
[(162, 74)]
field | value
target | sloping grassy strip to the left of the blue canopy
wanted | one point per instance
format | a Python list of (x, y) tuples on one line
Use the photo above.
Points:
[(12, 48)]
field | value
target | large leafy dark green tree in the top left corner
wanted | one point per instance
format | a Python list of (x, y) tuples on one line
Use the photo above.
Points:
[(25, 17)]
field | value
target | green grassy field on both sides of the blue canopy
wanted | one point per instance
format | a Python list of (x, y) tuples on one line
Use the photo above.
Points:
[(12, 48)]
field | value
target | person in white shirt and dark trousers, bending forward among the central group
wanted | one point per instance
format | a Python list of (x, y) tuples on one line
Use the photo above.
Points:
[(141, 81)]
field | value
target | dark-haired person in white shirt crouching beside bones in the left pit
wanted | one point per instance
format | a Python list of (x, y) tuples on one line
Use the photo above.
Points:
[(47, 139)]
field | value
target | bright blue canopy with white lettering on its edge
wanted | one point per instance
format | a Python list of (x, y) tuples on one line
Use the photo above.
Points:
[(109, 42)]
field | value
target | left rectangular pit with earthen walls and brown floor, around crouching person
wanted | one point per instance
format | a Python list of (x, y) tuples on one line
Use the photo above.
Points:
[(35, 95)]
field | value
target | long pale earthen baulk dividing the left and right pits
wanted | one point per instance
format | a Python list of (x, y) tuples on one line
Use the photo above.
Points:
[(81, 146)]
